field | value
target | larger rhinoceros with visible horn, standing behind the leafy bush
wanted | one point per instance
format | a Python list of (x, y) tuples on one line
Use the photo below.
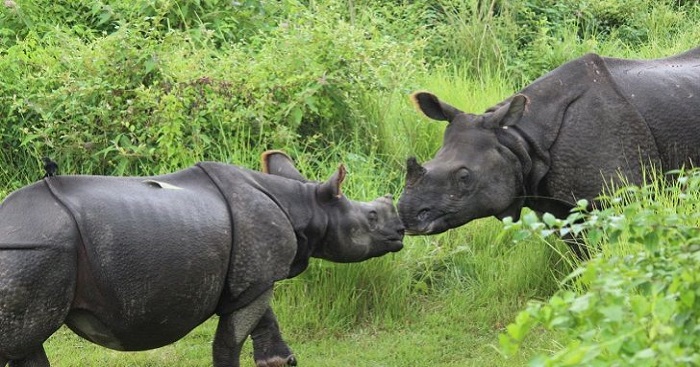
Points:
[(556, 141)]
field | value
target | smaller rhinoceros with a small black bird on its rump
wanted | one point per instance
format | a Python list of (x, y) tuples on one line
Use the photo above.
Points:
[(135, 263)]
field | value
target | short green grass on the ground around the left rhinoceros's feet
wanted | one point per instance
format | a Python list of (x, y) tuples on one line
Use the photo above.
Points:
[(426, 343)]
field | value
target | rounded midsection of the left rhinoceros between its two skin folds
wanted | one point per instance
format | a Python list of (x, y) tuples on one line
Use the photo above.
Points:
[(154, 256)]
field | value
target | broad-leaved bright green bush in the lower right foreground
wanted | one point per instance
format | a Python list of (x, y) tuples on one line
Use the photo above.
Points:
[(638, 301)]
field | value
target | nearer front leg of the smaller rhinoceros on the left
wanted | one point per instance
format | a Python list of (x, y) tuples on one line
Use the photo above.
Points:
[(234, 328)]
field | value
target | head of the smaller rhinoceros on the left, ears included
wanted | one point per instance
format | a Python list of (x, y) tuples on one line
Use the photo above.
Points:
[(352, 231)]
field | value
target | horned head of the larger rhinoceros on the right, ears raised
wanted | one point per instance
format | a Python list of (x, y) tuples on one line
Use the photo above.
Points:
[(473, 175)]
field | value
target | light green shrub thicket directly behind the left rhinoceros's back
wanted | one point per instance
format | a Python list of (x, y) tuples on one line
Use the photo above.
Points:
[(153, 96)]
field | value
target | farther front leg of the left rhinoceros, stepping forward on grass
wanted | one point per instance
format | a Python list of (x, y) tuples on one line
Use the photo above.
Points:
[(269, 349)]
